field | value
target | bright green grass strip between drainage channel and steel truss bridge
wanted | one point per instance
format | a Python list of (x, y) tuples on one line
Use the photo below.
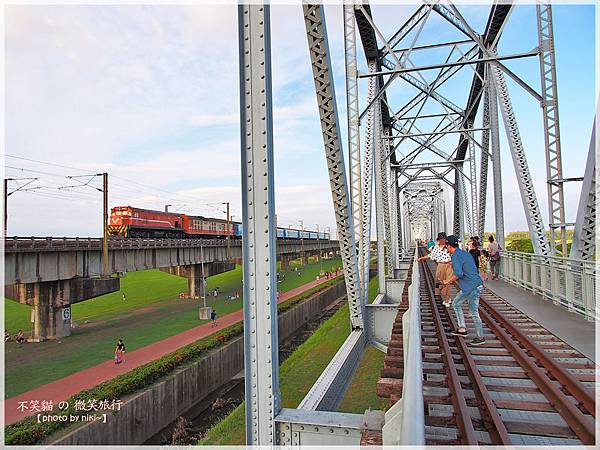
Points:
[(297, 375)]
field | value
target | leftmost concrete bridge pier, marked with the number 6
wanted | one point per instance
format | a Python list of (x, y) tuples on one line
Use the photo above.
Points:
[(52, 300)]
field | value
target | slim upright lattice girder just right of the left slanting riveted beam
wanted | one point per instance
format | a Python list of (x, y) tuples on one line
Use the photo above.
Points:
[(353, 125)]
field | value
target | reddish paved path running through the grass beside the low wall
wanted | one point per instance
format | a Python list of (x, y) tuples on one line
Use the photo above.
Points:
[(85, 379)]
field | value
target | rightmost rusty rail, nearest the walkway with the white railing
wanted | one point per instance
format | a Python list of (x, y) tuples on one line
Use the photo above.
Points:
[(575, 388)]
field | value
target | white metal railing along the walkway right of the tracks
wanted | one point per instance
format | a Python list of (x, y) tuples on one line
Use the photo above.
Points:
[(568, 282)]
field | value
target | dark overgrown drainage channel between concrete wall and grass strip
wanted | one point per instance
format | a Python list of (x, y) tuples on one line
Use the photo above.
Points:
[(191, 426)]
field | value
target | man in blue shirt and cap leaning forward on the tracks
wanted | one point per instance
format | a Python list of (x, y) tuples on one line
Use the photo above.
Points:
[(471, 285)]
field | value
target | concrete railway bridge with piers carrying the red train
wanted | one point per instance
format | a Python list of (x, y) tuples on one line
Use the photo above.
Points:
[(50, 274)]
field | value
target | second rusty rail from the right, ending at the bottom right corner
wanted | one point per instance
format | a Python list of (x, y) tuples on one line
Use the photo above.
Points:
[(582, 427)]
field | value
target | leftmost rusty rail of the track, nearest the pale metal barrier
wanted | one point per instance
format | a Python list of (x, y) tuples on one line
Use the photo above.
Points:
[(463, 418)]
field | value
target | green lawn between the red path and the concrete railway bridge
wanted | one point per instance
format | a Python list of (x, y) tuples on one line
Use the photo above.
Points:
[(152, 312)]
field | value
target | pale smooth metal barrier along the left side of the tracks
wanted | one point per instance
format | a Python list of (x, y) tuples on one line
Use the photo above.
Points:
[(405, 421)]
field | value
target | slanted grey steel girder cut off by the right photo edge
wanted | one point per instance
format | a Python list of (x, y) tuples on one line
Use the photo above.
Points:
[(584, 236)]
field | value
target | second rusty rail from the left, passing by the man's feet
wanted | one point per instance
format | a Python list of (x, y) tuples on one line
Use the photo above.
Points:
[(495, 426)]
